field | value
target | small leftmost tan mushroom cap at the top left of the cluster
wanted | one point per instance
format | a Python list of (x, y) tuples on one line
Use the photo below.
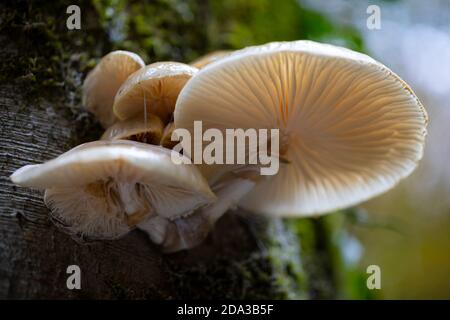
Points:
[(102, 83)]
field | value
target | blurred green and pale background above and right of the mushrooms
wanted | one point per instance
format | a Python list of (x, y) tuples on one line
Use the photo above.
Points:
[(405, 231)]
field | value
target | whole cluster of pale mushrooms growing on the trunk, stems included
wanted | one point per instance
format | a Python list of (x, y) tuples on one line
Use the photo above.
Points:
[(349, 128)]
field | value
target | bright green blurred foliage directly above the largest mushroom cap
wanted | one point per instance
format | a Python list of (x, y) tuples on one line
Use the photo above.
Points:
[(236, 24)]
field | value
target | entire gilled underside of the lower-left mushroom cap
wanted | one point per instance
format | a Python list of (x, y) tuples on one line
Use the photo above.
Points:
[(123, 206)]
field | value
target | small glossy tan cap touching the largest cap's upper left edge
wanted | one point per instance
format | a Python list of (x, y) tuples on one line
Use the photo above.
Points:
[(160, 84)]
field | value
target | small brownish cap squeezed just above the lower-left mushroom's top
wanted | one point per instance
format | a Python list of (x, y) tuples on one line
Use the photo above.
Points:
[(139, 129)]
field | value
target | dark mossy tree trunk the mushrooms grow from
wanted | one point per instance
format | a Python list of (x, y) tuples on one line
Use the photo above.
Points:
[(42, 68)]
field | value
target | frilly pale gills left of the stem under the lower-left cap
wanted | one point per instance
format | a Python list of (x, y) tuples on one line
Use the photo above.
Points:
[(101, 210)]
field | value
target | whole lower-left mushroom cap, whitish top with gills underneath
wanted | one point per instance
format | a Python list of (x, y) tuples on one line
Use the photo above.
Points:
[(102, 189)]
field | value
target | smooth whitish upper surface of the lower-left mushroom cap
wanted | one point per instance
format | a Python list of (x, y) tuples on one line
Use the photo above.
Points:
[(122, 160)]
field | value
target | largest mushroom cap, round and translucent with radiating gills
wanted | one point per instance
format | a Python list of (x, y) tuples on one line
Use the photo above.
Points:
[(349, 127)]
